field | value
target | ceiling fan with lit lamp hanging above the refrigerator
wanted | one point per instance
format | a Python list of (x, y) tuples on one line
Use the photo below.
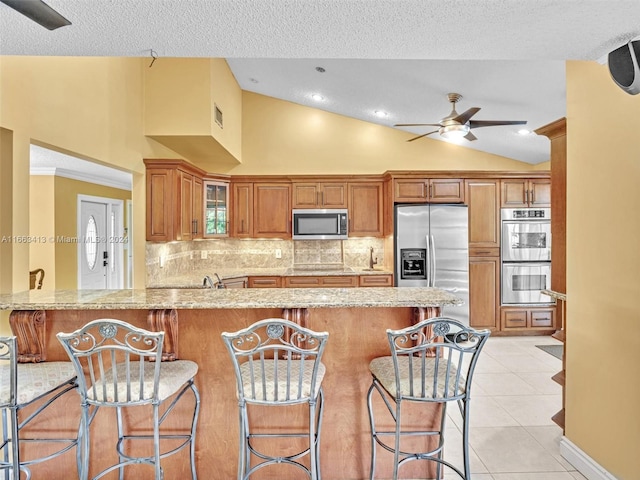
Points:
[(459, 125)]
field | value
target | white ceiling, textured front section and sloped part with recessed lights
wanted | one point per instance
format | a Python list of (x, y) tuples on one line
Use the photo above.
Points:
[(401, 56)]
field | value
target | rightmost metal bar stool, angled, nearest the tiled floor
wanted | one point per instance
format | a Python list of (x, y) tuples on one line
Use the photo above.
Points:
[(431, 362)]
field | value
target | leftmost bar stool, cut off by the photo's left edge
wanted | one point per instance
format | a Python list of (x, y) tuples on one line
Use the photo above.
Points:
[(24, 385)]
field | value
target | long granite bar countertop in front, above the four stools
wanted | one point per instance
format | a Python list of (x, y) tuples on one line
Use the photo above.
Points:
[(227, 298)]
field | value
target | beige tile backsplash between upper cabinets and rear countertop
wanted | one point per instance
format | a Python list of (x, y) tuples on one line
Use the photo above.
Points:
[(204, 257)]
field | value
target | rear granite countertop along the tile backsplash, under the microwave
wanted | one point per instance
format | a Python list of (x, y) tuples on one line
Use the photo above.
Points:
[(194, 280)]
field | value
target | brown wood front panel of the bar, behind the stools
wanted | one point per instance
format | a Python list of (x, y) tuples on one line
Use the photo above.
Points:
[(356, 336)]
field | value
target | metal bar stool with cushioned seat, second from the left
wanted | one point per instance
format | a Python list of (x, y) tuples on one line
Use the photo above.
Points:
[(119, 365)]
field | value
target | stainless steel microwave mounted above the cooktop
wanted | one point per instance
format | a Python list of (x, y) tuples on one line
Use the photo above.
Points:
[(320, 224)]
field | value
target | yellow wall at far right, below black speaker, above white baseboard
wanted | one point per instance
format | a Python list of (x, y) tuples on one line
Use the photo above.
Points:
[(603, 269)]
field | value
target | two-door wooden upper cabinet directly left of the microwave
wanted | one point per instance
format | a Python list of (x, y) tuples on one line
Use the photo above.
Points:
[(261, 210)]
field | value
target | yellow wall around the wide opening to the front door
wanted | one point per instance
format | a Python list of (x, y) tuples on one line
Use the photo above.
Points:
[(89, 107)]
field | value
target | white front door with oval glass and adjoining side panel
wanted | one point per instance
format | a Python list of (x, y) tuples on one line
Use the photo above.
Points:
[(100, 243)]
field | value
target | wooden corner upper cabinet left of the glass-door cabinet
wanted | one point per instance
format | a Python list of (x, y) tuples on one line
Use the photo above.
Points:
[(174, 201)]
